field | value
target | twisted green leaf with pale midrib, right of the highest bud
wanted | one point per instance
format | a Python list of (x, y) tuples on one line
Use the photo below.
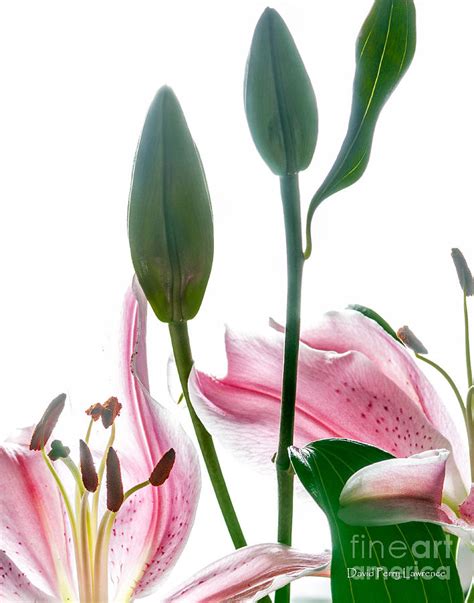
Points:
[(384, 51)]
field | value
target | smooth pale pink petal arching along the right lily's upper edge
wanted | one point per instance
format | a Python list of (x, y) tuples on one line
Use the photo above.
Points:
[(351, 330)]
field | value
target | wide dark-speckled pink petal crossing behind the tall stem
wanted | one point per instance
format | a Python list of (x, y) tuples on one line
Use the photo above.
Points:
[(339, 395)]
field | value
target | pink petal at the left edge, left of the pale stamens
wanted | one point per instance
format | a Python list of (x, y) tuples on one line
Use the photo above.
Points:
[(33, 540)]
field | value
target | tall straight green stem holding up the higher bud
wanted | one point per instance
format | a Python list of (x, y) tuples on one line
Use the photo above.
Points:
[(295, 260)]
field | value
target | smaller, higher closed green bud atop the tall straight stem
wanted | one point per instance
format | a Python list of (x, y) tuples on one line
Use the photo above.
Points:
[(279, 98)]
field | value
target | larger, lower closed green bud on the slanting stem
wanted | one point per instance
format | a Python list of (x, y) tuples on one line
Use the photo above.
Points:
[(169, 214)]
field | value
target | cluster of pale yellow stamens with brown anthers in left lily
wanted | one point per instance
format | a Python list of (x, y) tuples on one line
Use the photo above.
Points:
[(91, 534)]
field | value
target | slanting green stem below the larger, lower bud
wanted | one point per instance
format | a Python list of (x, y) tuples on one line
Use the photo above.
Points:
[(184, 363)]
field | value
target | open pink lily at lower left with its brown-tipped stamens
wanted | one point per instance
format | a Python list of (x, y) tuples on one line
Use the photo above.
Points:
[(53, 553)]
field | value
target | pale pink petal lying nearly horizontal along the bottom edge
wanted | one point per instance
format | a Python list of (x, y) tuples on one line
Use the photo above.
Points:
[(249, 574)]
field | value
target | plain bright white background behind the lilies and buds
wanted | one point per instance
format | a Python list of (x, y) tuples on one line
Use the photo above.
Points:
[(77, 79)]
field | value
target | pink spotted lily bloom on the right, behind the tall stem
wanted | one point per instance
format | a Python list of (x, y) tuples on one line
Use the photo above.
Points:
[(355, 381)]
